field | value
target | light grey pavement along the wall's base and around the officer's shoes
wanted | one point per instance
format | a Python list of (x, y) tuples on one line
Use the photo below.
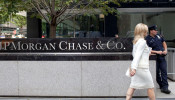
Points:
[(159, 95)]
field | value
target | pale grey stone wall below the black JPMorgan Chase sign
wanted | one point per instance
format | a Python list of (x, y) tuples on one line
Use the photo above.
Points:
[(67, 78)]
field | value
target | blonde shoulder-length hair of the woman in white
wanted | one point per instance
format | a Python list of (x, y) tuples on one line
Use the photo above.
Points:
[(140, 32)]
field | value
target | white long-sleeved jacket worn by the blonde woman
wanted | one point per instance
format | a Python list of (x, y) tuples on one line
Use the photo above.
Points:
[(140, 54)]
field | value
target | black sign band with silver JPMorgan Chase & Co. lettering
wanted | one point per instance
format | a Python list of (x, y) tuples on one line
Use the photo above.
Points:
[(67, 45)]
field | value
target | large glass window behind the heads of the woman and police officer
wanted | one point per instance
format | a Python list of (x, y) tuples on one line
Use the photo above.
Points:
[(164, 21)]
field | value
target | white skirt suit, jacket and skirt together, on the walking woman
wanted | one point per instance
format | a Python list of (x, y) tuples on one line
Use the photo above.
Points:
[(142, 78)]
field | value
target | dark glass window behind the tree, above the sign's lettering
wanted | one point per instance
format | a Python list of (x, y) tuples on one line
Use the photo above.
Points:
[(79, 27)]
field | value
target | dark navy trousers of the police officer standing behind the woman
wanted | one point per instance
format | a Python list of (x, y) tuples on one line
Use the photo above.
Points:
[(161, 72)]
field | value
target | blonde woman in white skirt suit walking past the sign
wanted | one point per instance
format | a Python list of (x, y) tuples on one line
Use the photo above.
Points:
[(140, 75)]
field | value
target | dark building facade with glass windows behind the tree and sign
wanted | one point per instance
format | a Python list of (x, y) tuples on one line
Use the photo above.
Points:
[(150, 12)]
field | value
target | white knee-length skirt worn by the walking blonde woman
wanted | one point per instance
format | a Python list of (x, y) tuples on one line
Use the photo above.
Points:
[(142, 79)]
